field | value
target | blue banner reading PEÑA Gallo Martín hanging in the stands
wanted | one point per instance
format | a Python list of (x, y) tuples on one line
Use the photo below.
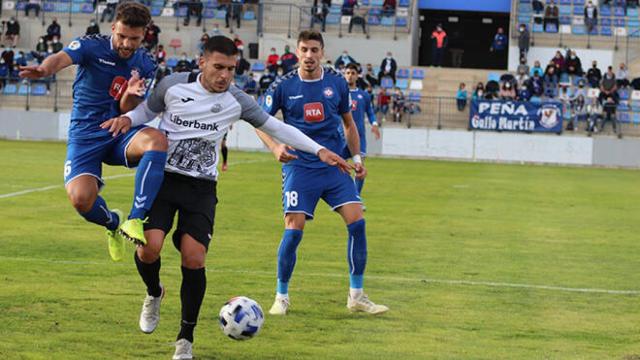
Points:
[(499, 115)]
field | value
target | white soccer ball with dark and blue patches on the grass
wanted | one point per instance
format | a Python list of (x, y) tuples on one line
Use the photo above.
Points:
[(241, 318)]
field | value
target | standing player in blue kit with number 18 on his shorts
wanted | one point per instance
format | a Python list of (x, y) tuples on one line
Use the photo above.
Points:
[(316, 100)]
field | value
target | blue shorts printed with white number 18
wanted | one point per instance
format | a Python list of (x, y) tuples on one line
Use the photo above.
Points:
[(302, 188)]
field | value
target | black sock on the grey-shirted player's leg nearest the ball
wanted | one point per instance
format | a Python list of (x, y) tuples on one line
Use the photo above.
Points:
[(194, 284)]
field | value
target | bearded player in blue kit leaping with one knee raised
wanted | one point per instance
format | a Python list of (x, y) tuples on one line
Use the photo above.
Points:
[(112, 76)]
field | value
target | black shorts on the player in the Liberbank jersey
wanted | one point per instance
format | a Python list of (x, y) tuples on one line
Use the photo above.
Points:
[(195, 201)]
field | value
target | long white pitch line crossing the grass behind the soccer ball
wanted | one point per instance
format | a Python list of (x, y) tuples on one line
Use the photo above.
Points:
[(373, 277)]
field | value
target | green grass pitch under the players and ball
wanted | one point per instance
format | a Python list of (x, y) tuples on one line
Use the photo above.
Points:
[(475, 260)]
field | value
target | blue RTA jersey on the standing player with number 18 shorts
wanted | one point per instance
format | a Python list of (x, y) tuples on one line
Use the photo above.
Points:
[(315, 107)]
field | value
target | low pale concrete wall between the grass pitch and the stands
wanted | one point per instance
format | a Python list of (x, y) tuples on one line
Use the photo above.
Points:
[(398, 142)]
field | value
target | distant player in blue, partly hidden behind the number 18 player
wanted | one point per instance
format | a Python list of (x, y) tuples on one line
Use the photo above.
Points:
[(360, 105)]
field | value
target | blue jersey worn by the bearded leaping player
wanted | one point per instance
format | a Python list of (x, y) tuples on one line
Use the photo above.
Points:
[(101, 79)]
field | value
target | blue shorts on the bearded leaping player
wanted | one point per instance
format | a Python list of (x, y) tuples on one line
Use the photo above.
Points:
[(85, 156)]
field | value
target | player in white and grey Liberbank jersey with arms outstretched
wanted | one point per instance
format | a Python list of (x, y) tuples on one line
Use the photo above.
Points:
[(197, 110)]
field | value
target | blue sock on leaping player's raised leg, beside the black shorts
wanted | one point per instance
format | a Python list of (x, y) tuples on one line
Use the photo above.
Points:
[(148, 181)]
